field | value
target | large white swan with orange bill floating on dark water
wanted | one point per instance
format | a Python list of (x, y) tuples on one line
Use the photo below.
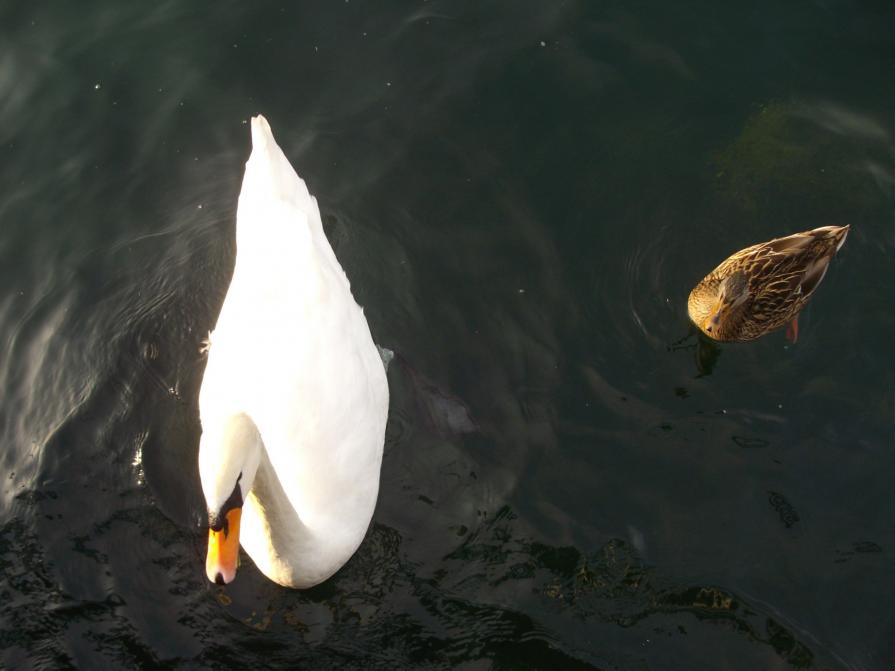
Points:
[(294, 399)]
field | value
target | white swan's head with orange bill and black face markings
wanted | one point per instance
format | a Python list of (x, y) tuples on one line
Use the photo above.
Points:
[(229, 454)]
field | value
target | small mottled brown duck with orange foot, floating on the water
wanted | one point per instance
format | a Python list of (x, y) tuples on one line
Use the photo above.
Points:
[(763, 287)]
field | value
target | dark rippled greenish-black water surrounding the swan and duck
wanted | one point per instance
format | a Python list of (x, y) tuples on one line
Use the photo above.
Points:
[(522, 194)]
